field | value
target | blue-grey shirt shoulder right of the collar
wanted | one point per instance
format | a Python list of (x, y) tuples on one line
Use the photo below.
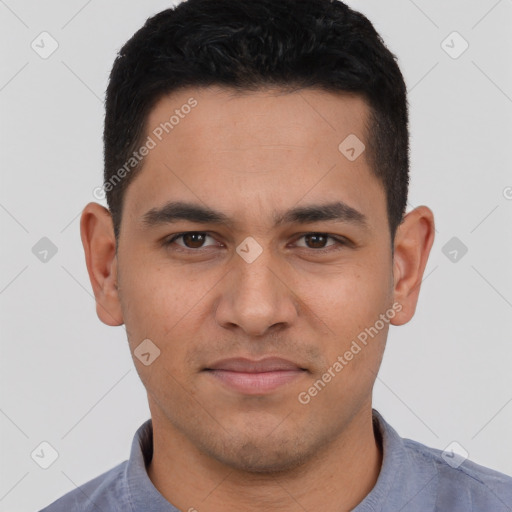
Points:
[(462, 480)]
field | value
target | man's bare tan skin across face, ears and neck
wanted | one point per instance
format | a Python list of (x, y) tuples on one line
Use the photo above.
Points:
[(250, 155)]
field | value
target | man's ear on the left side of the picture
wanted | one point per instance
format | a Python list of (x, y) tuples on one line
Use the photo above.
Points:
[(97, 233)]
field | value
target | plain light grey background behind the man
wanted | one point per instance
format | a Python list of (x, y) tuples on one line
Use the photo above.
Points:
[(69, 380)]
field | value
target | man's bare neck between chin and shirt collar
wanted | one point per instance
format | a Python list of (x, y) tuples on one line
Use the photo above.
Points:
[(339, 477)]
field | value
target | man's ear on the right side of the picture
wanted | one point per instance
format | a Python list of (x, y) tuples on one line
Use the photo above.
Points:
[(413, 241)]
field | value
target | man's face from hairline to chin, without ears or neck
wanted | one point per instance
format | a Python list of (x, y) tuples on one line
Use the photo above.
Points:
[(268, 275)]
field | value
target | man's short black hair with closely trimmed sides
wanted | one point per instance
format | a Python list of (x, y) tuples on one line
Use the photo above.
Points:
[(248, 45)]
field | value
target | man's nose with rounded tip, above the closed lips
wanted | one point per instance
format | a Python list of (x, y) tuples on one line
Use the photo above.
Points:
[(256, 297)]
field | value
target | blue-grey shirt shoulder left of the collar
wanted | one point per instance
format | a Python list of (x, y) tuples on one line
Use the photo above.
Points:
[(105, 492)]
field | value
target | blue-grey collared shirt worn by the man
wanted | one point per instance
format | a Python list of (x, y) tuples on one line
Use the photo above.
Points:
[(413, 478)]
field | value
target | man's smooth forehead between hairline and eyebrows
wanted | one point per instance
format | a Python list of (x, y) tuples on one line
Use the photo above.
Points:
[(254, 152)]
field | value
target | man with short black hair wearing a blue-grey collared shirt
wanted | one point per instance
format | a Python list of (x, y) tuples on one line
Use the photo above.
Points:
[(256, 248)]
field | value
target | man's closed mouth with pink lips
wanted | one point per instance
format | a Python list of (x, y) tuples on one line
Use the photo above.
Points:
[(252, 377)]
